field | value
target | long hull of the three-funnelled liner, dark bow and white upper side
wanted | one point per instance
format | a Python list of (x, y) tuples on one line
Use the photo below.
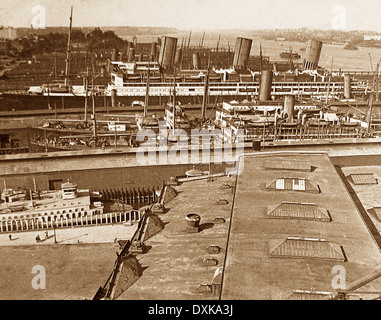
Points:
[(161, 95)]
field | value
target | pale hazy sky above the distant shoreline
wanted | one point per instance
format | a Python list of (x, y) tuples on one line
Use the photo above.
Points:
[(196, 14)]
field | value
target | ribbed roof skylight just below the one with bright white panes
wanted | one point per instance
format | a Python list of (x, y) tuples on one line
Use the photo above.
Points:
[(298, 210)]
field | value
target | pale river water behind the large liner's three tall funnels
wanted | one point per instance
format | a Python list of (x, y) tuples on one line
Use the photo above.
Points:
[(349, 60)]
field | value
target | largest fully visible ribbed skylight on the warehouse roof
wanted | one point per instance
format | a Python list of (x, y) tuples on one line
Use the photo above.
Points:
[(294, 247)]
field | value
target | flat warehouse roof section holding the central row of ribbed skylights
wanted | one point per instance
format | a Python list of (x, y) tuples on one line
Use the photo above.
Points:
[(293, 256)]
